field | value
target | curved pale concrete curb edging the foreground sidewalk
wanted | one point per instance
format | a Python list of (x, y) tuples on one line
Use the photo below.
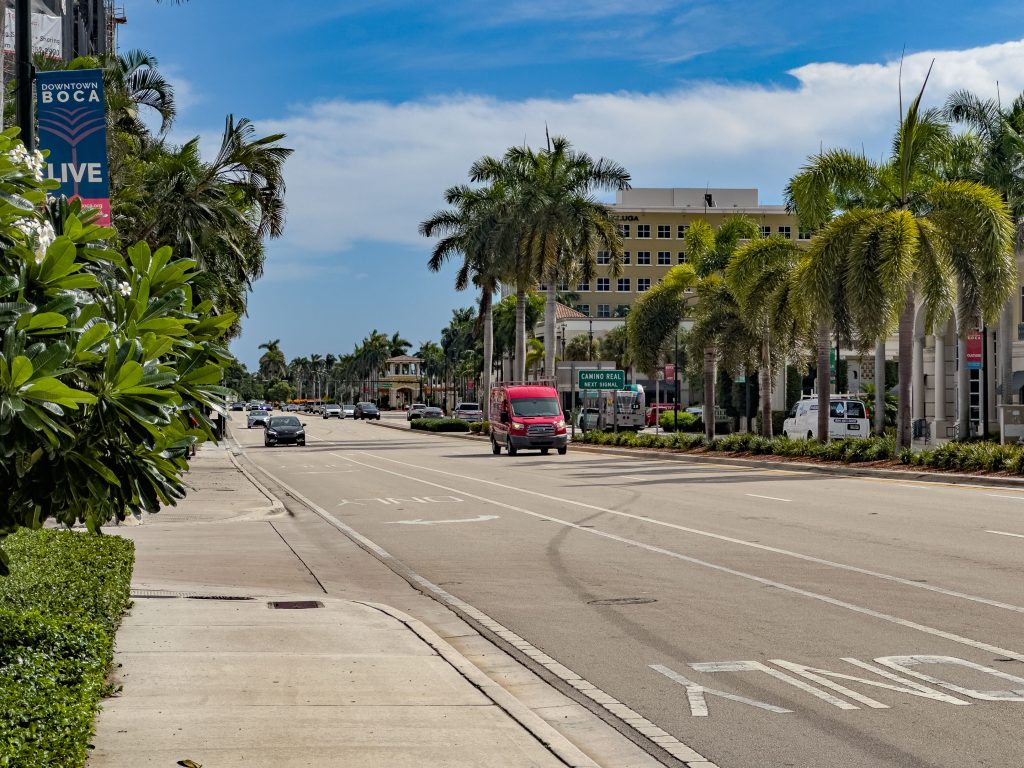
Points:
[(561, 747)]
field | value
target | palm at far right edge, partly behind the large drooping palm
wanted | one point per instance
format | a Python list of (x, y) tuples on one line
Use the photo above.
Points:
[(995, 156)]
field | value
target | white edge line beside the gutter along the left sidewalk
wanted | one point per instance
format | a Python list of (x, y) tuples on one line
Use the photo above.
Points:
[(645, 729)]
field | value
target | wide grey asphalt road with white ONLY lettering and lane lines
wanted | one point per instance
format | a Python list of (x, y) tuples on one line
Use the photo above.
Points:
[(765, 618)]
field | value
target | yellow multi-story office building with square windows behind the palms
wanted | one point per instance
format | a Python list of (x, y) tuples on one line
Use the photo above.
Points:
[(653, 224)]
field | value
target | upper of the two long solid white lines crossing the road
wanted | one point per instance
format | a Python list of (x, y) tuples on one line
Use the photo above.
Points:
[(729, 539)]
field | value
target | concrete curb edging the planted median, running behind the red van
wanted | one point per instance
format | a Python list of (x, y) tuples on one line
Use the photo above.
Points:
[(842, 471)]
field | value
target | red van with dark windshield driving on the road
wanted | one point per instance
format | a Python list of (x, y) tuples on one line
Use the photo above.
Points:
[(526, 416)]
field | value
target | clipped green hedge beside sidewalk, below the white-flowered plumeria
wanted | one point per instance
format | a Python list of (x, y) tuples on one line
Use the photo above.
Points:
[(60, 609)]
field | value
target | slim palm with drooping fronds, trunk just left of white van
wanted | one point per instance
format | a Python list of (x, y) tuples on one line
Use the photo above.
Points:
[(760, 276)]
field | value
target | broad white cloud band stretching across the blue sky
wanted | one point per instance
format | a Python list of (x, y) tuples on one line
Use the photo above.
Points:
[(371, 172)]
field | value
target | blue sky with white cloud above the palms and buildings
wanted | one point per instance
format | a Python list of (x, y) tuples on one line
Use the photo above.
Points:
[(389, 102)]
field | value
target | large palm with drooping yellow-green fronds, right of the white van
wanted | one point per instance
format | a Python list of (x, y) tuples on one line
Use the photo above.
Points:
[(906, 234)]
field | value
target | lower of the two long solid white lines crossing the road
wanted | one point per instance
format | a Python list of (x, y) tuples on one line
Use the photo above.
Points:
[(907, 624)]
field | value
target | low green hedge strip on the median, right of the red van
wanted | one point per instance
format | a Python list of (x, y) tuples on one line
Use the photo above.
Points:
[(959, 457)]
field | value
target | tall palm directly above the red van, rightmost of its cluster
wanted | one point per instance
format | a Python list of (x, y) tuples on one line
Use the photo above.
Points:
[(564, 223)]
